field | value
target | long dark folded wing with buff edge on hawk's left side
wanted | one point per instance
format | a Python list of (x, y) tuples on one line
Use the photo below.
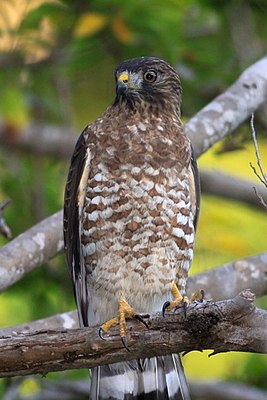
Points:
[(73, 202)]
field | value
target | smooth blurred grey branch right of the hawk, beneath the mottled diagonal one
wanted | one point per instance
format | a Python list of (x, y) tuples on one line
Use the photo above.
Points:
[(230, 187)]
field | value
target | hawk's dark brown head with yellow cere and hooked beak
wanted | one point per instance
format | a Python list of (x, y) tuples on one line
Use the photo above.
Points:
[(148, 81)]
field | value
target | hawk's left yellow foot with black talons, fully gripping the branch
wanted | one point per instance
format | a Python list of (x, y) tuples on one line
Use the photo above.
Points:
[(125, 311)]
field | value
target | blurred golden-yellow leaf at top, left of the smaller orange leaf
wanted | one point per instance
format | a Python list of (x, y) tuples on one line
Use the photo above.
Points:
[(90, 23)]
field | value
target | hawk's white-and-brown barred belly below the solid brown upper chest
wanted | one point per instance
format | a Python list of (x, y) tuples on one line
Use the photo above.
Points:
[(136, 241)]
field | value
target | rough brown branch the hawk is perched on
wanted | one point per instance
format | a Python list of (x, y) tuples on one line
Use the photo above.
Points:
[(230, 325)]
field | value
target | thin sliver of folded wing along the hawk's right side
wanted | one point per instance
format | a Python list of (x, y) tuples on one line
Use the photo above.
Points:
[(194, 187)]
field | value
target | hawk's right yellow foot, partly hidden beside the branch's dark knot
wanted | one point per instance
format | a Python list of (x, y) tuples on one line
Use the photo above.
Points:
[(181, 301)]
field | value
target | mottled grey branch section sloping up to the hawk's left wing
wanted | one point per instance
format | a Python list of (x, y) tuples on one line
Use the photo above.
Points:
[(30, 249)]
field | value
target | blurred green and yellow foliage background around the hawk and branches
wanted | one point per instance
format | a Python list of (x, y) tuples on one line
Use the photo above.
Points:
[(56, 66)]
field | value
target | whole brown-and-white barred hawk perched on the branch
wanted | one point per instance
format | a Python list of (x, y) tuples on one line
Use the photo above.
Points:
[(130, 217)]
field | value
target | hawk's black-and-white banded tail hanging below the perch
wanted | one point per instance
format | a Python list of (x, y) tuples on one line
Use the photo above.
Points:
[(157, 378)]
